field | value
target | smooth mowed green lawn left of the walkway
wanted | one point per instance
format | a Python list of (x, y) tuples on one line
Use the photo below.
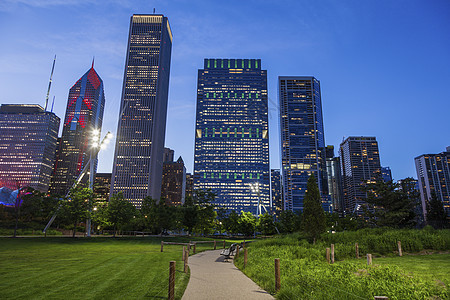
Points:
[(89, 268)]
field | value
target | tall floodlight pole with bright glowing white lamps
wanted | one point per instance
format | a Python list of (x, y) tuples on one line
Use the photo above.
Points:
[(95, 148)]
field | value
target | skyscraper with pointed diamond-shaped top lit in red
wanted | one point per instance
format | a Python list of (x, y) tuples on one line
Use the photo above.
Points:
[(84, 114)]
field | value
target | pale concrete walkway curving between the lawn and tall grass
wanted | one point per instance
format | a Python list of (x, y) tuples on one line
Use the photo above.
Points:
[(213, 278)]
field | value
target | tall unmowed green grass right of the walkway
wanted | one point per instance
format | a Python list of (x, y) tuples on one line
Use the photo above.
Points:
[(305, 274)]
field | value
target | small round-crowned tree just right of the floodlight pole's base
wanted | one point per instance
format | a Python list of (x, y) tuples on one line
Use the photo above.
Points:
[(119, 211)]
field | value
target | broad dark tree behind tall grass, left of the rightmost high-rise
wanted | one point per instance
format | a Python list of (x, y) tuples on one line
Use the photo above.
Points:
[(393, 203)]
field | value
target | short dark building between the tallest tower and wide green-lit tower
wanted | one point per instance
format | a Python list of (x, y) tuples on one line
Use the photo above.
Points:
[(173, 188)]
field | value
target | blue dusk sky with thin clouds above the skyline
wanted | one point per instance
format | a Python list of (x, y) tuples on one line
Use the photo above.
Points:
[(384, 66)]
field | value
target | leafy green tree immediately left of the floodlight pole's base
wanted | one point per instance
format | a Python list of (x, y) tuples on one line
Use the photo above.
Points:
[(77, 206)]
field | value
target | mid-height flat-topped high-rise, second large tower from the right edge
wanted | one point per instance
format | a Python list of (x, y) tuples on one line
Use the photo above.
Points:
[(360, 163)]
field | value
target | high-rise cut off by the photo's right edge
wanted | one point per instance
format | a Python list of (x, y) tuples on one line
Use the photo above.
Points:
[(433, 173)]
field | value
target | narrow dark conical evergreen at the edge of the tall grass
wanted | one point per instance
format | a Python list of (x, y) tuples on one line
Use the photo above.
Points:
[(314, 222)]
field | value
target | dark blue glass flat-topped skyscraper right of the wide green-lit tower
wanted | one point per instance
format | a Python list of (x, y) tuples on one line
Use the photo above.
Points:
[(302, 139)]
